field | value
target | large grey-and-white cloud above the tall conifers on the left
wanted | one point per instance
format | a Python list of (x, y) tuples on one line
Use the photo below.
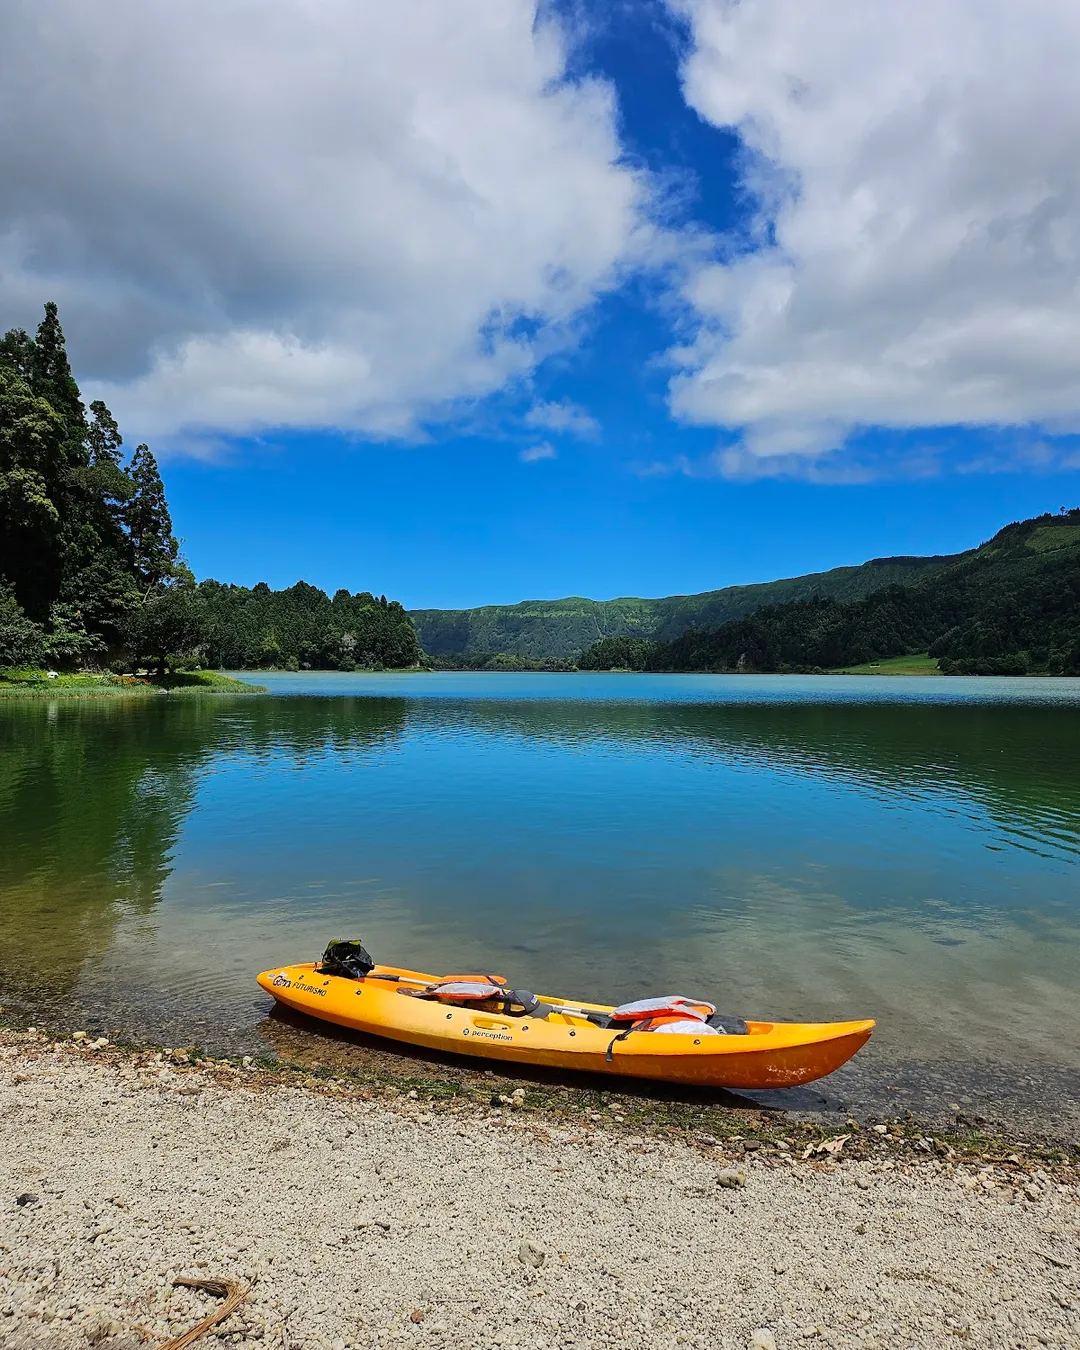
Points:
[(304, 213)]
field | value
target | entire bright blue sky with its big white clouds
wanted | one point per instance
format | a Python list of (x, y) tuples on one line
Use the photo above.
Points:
[(645, 299)]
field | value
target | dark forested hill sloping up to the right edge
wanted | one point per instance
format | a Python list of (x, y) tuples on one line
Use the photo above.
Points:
[(1008, 608)]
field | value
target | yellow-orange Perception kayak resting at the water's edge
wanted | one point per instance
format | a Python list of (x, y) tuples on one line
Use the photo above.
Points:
[(560, 1035)]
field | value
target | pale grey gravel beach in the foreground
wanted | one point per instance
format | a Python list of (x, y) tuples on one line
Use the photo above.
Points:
[(391, 1222)]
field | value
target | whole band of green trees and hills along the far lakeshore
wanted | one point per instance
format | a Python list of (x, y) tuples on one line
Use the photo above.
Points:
[(92, 583)]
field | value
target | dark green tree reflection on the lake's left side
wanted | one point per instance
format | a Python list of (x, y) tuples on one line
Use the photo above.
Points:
[(94, 797)]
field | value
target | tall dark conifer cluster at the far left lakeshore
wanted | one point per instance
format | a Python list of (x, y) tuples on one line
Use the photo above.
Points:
[(86, 537)]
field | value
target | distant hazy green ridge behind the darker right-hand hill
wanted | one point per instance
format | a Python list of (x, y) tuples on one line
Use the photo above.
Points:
[(562, 628)]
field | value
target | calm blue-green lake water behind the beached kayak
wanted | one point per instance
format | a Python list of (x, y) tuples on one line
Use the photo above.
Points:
[(788, 847)]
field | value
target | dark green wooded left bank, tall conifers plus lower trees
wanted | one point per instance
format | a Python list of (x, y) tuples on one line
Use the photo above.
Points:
[(91, 574)]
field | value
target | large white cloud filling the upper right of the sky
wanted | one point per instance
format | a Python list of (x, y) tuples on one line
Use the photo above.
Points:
[(919, 179)]
